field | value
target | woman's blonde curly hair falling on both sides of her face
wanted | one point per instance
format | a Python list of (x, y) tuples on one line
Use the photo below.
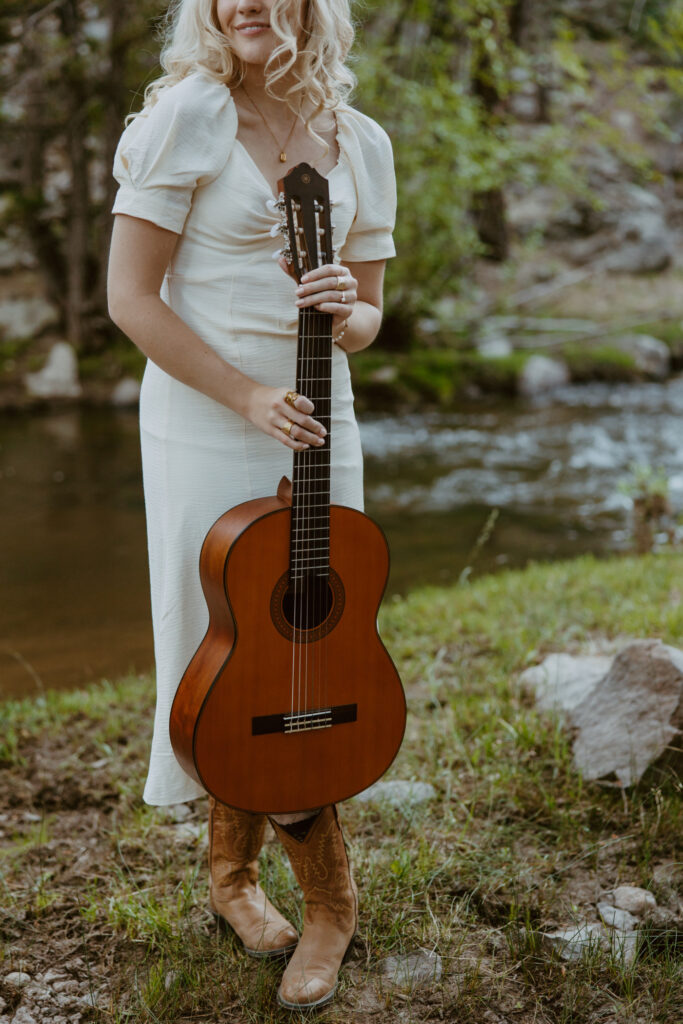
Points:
[(193, 41)]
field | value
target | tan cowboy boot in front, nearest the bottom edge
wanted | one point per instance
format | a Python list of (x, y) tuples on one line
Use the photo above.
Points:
[(322, 869)]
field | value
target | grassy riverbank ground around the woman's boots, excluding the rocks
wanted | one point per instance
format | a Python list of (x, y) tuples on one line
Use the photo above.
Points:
[(105, 900)]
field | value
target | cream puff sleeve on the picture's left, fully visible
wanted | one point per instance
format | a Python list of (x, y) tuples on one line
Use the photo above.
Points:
[(182, 143)]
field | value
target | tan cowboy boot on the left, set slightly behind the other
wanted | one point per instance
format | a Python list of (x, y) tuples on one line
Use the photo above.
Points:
[(235, 895)]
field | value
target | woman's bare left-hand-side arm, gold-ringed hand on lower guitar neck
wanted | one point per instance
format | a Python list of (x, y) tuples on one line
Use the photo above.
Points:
[(140, 255)]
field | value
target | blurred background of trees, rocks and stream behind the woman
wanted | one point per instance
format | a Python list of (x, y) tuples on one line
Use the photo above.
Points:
[(525, 399)]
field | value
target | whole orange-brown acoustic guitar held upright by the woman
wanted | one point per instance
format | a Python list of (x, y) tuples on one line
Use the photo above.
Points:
[(292, 701)]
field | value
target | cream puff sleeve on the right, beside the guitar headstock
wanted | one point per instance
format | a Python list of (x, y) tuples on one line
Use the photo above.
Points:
[(369, 150)]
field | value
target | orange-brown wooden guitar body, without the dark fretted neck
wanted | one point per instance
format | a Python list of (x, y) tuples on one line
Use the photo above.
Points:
[(277, 719)]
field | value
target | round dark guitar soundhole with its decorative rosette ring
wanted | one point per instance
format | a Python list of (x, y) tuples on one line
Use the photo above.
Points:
[(311, 609)]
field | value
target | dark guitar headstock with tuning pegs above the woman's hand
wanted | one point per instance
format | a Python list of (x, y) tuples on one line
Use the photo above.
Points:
[(305, 203)]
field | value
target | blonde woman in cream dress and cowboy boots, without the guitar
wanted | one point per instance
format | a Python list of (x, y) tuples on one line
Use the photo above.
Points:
[(252, 89)]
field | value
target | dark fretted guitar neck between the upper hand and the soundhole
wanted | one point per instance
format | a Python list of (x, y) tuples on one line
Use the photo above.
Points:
[(310, 549)]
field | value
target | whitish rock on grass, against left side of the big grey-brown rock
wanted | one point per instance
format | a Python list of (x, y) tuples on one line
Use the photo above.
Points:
[(562, 682)]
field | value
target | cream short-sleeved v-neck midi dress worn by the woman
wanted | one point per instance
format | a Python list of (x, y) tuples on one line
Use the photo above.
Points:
[(181, 166)]
